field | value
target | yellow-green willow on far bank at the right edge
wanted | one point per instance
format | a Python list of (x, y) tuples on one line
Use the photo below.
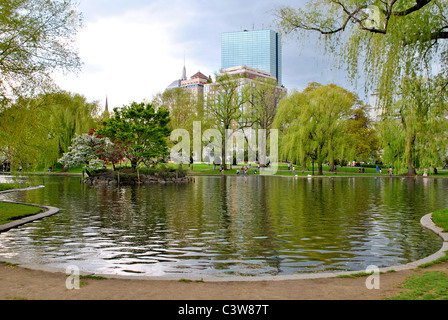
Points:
[(415, 132)]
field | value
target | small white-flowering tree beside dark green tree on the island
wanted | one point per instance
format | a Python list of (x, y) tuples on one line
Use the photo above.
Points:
[(86, 150)]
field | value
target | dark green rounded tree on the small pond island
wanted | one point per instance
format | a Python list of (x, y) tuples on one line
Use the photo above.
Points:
[(140, 131)]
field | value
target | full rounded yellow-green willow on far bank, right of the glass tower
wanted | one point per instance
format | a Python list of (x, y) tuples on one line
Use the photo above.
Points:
[(312, 123)]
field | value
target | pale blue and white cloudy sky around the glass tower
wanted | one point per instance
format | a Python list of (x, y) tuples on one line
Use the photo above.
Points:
[(133, 49)]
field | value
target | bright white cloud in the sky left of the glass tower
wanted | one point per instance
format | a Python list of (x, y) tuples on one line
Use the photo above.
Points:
[(128, 57)]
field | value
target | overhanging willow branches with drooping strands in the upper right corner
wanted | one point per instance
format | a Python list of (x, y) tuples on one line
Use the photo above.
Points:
[(384, 41)]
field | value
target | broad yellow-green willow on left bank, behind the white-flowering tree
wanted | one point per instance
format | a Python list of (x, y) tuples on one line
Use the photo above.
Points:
[(35, 132)]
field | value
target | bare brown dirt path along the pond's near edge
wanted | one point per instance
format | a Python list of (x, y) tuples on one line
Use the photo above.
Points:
[(21, 283)]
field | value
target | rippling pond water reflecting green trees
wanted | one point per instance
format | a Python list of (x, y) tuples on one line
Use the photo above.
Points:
[(220, 226)]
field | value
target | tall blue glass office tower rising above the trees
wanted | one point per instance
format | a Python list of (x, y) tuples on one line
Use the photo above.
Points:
[(261, 49)]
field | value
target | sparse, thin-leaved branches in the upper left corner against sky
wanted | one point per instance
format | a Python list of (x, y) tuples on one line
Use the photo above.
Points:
[(36, 39)]
